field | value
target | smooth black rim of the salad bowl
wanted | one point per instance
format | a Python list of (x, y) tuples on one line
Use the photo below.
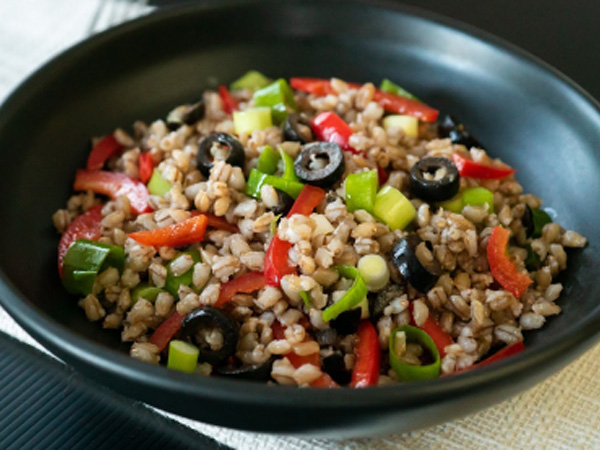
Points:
[(74, 347)]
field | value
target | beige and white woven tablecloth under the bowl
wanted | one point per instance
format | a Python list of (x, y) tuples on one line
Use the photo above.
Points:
[(562, 412)]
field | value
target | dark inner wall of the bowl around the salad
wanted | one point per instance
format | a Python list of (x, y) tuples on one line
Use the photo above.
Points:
[(521, 111)]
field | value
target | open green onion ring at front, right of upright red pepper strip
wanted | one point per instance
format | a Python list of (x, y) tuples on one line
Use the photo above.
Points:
[(409, 372)]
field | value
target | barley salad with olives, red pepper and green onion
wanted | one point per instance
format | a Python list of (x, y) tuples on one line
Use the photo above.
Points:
[(309, 232)]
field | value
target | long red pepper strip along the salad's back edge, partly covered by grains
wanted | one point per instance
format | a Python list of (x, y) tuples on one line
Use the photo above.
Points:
[(390, 102)]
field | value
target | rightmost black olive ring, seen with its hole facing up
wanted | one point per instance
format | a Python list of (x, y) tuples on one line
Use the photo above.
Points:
[(434, 179)]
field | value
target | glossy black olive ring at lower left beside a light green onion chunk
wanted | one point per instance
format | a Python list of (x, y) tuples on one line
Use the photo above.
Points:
[(205, 319)]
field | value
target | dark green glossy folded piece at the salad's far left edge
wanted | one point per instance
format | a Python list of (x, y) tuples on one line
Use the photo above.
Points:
[(85, 259)]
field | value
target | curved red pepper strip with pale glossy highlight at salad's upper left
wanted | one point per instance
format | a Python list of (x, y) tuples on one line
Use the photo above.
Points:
[(114, 185)]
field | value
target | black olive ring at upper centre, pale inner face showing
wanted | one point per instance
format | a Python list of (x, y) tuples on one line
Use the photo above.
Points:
[(320, 164)]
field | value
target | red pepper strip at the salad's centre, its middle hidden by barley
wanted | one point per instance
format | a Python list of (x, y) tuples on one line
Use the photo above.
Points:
[(276, 259)]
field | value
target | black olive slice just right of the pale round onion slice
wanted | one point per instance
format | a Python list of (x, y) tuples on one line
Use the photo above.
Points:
[(422, 275)]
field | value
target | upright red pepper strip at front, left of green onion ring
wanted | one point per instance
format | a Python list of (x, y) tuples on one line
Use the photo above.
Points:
[(368, 356)]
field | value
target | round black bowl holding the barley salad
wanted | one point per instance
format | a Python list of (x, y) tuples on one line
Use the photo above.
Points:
[(522, 110)]
